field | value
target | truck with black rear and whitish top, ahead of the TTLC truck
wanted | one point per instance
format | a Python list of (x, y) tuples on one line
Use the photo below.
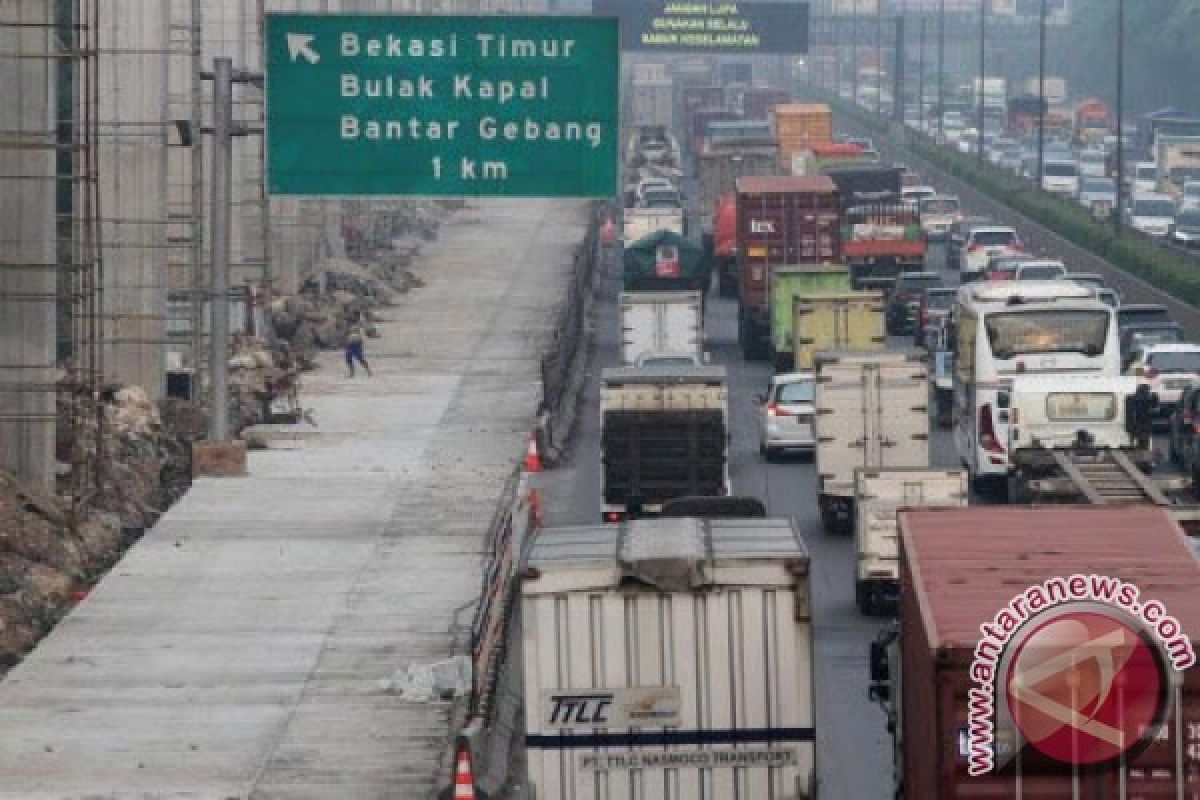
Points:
[(664, 436)]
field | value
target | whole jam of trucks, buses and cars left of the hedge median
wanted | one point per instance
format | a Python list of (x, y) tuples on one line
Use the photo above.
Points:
[(961, 425)]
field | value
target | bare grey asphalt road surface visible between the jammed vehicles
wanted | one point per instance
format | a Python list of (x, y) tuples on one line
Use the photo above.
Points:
[(854, 748)]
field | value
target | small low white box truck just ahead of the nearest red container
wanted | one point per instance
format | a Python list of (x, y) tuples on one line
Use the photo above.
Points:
[(879, 496)]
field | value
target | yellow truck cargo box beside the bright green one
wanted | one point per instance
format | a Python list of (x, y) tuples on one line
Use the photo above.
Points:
[(844, 321)]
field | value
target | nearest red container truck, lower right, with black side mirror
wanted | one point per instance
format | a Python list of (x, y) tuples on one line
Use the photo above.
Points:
[(959, 568)]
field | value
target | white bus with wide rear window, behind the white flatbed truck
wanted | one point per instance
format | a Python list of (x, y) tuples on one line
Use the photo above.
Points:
[(1009, 329)]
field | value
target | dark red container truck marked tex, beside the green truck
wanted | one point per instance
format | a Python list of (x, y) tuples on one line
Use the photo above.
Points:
[(782, 221)]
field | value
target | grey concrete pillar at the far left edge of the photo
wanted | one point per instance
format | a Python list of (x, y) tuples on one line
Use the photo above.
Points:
[(27, 243)]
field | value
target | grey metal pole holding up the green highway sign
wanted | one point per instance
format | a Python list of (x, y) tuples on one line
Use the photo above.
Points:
[(221, 216)]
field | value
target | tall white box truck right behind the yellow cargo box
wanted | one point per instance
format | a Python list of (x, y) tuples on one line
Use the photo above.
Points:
[(872, 412)]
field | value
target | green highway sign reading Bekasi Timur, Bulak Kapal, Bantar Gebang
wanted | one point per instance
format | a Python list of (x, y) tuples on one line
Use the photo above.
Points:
[(442, 105)]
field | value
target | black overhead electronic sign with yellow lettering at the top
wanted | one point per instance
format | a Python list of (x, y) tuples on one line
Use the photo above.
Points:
[(682, 27)]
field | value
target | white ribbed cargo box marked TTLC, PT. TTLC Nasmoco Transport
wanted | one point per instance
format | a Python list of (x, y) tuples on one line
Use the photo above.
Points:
[(669, 659)]
